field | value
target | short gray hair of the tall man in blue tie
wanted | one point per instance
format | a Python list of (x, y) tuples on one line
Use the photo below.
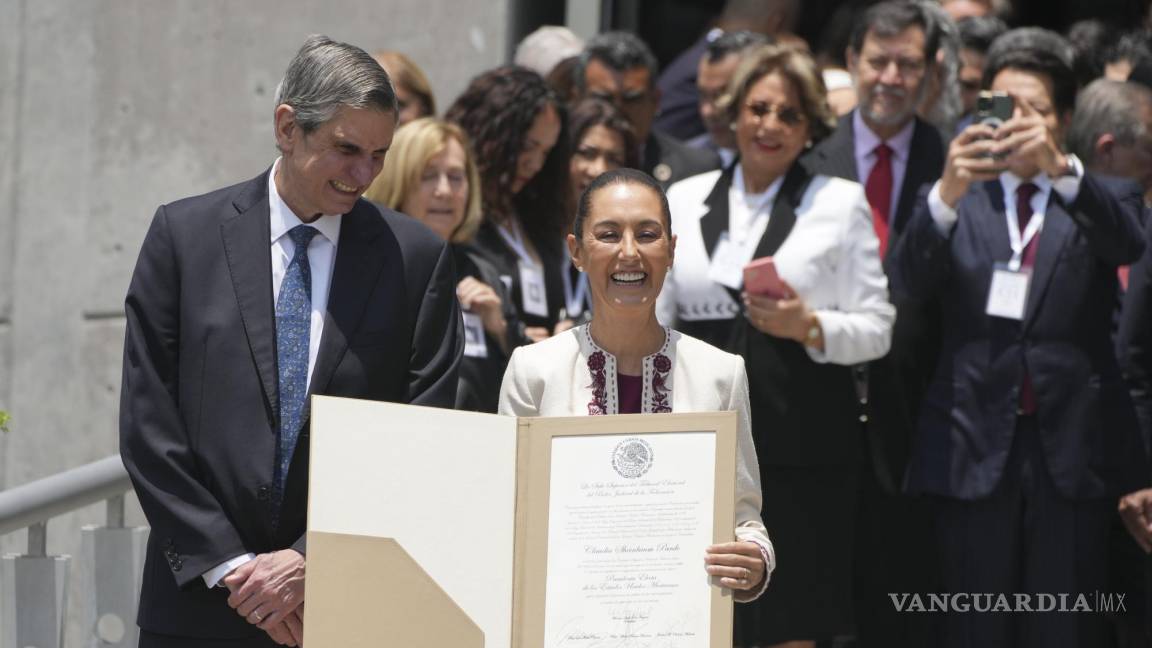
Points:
[(325, 77)]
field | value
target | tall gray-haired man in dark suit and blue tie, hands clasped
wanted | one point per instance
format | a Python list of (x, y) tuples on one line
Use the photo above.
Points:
[(245, 303)]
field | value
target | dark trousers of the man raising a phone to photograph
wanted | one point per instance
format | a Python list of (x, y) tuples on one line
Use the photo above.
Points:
[(1026, 538)]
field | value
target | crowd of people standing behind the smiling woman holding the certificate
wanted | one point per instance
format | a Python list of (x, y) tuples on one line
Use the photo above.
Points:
[(888, 394)]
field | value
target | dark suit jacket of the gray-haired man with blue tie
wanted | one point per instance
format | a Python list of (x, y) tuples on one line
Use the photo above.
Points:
[(200, 403)]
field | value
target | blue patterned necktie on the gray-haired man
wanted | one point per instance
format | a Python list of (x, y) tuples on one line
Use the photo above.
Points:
[(294, 330)]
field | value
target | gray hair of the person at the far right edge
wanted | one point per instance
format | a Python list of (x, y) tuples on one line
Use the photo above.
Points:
[(1105, 108)]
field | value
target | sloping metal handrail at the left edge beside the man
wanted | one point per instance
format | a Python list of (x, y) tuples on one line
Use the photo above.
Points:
[(37, 502)]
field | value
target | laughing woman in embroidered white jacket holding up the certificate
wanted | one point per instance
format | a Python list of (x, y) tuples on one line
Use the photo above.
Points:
[(625, 363)]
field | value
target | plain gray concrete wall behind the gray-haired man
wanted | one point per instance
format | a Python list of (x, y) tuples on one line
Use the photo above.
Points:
[(109, 109)]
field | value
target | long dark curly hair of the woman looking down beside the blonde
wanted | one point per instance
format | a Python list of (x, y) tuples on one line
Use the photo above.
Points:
[(497, 110)]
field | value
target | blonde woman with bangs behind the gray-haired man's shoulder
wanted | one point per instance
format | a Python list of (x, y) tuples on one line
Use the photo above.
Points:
[(430, 175)]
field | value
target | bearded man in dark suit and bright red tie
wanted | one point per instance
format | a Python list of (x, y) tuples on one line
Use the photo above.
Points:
[(884, 146)]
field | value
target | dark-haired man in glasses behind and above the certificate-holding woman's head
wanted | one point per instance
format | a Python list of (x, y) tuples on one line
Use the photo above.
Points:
[(619, 67)]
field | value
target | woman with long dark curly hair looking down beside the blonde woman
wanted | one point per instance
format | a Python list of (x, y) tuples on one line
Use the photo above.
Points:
[(518, 131)]
